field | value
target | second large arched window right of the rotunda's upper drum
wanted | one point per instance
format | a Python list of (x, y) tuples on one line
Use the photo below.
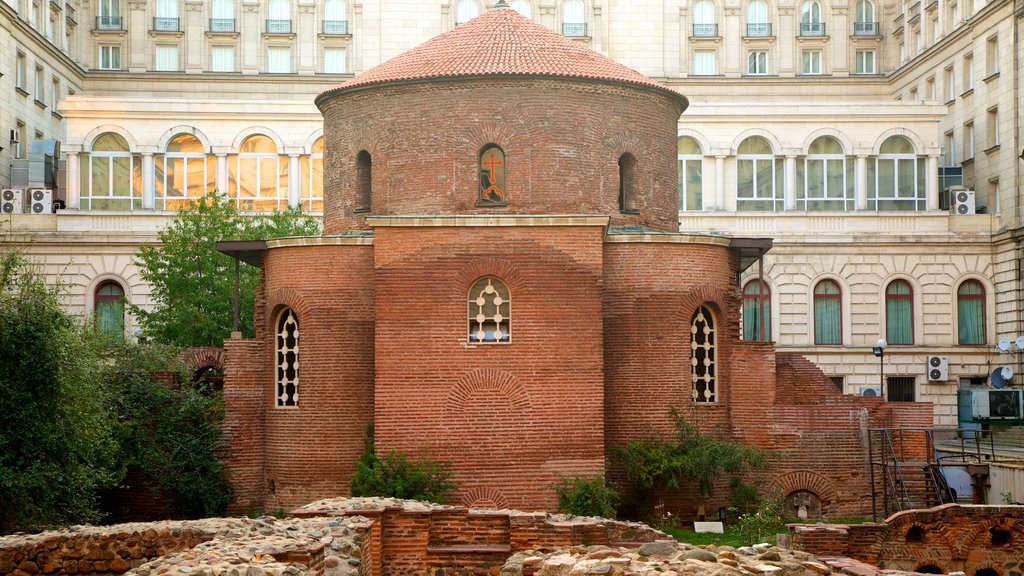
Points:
[(760, 185)]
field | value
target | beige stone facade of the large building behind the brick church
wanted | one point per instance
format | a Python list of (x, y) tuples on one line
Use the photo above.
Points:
[(943, 76)]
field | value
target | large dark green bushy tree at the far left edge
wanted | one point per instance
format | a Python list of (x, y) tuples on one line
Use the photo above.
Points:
[(56, 444)]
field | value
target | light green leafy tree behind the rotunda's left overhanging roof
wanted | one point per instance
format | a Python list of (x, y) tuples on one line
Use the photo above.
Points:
[(193, 285)]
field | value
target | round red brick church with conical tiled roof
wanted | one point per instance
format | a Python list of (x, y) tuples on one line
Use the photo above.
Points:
[(502, 285)]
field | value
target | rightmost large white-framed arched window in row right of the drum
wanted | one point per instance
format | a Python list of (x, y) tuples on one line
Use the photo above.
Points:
[(897, 179)]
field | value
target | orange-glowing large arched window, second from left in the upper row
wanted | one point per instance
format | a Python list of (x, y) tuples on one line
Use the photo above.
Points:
[(184, 173)]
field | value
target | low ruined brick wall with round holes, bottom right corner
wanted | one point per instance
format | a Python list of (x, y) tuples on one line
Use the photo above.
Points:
[(948, 539)]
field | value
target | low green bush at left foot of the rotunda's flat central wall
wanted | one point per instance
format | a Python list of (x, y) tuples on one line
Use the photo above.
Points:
[(398, 477)]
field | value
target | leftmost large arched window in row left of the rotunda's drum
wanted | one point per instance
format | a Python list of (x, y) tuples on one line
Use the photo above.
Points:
[(113, 178)]
